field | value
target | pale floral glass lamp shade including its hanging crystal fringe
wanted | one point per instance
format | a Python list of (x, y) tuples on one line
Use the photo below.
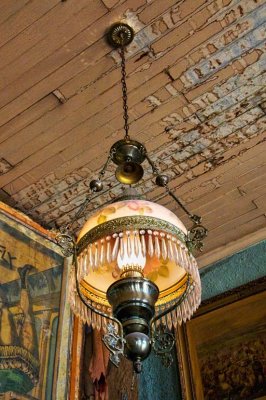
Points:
[(135, 238)]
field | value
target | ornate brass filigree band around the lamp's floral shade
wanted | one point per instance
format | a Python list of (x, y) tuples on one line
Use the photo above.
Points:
[(125, 223)]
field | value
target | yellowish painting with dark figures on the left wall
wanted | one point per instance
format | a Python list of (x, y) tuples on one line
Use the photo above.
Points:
[(30, 288)]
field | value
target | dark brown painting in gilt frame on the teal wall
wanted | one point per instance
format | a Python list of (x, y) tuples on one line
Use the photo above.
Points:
[(222, 350)]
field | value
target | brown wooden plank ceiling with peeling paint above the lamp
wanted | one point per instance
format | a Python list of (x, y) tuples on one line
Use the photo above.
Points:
[(196, 100)]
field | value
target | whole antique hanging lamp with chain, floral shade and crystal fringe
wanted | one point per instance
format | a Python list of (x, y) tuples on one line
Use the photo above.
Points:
[(132, 260)]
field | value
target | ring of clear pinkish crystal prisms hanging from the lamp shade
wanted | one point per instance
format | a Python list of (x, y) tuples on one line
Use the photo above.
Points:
[(155, 244)]
